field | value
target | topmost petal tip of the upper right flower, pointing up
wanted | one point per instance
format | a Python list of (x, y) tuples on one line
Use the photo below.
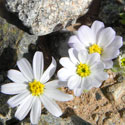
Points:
[(97, 26)]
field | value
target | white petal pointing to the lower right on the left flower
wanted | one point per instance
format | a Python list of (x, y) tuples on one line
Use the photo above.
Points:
[(51, 106)]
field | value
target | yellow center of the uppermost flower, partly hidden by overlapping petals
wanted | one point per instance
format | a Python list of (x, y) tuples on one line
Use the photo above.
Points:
[(95, 49)]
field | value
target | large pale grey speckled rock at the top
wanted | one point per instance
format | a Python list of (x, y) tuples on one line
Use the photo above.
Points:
[(46, 16)]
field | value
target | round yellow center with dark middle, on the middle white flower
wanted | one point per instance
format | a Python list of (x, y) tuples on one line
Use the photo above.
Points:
[(83, 70)]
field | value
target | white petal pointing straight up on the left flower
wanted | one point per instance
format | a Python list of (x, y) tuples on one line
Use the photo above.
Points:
[(38, 65)]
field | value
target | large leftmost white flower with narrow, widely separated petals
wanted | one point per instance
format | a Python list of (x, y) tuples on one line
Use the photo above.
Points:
[(32, 89)]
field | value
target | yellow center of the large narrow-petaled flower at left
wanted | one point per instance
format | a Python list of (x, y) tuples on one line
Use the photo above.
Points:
[(36, 88)]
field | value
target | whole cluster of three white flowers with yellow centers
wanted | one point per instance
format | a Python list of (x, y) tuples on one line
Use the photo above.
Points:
[(92, 50)]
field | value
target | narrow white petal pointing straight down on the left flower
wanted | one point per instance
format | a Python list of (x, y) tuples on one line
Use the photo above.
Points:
[(35, 111)]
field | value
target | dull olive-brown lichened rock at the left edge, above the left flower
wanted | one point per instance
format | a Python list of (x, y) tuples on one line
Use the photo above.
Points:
[(8, 35)]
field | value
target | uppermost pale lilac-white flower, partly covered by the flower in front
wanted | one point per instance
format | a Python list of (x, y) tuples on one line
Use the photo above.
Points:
[(98, 39)]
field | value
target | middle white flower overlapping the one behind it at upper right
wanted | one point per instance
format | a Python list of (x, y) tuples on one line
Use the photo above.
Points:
[(82, 71)]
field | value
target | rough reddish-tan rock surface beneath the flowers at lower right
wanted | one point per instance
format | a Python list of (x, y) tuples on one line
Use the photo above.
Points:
[(96, 106)]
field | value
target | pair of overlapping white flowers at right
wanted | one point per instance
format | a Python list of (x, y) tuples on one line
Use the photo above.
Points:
[(92, 51)]
